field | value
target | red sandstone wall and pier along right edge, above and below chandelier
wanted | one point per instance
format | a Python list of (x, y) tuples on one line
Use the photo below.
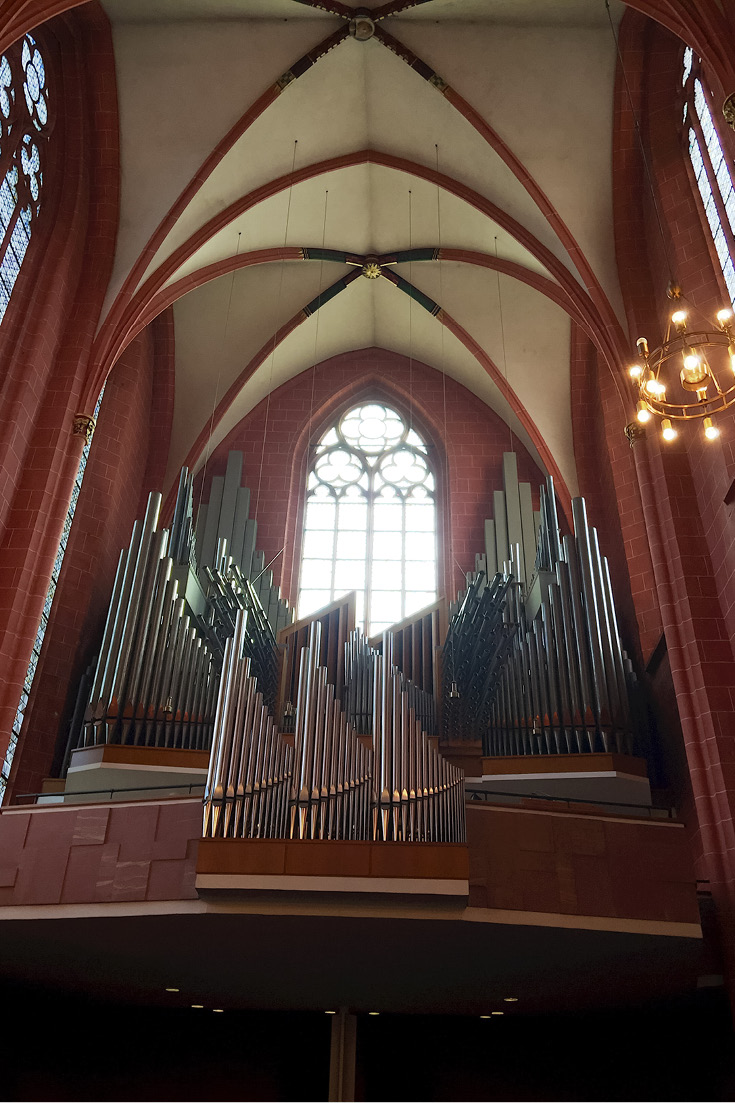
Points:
[(689, 528)]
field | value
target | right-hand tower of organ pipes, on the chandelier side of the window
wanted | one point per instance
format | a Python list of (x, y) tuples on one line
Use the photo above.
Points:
[(541, 669)]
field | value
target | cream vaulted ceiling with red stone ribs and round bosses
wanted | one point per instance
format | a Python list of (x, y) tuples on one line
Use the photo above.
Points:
[(267, 153)]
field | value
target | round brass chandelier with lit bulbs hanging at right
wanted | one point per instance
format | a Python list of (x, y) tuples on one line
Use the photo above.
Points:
[(691, 376)]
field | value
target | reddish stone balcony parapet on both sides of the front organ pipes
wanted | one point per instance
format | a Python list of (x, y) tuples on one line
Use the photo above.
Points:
[(520, 860)]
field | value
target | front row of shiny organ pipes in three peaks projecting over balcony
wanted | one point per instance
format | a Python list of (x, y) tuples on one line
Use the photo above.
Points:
[(333, 784)]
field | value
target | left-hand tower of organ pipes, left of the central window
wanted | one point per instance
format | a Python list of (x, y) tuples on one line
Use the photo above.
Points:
[(157, 678)]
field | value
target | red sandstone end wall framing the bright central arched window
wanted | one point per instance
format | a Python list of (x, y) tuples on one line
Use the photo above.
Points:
[(468, 457)]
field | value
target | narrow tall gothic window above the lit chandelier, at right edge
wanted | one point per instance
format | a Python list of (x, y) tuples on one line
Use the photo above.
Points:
[(711, 170)]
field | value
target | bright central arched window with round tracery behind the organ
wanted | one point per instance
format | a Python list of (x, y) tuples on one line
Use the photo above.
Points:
[(370, 520)]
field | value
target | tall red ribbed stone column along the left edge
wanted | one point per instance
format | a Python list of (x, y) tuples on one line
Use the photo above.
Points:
[(48, 333)]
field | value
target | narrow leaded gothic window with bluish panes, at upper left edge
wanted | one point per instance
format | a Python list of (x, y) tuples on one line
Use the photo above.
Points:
[(25, 126)]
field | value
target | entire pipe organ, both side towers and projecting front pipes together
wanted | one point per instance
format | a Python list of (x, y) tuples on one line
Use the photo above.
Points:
[(308, 731)]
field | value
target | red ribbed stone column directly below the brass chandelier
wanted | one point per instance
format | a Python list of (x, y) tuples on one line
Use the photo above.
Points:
[(702, 667)]
